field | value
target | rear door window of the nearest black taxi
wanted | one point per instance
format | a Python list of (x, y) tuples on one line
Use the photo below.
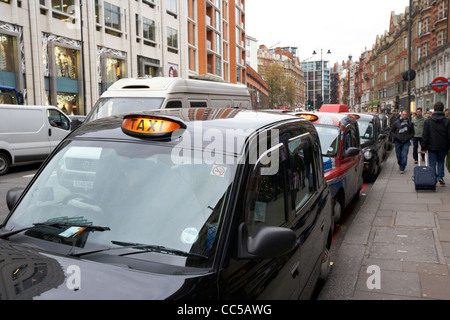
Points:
[(304, 177)]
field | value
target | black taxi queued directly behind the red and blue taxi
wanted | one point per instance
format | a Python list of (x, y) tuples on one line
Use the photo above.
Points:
[(373, 142)]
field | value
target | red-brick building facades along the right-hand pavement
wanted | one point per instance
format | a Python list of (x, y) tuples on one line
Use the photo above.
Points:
[(380, 74)]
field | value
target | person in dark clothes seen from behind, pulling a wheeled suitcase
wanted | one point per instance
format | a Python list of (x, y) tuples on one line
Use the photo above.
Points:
[(436, 140)]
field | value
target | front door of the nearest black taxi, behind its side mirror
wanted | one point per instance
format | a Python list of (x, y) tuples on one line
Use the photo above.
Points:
[(266, 197)]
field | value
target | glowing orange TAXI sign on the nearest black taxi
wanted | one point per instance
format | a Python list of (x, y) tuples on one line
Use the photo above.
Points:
[(145, 126)]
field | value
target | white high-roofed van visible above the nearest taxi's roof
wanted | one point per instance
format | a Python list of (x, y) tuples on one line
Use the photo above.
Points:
[(129, 95)]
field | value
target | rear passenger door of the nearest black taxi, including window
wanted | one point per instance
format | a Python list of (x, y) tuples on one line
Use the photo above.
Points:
[(310, 207)]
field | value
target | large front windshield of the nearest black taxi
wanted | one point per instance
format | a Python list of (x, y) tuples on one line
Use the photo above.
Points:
[(138, 194)]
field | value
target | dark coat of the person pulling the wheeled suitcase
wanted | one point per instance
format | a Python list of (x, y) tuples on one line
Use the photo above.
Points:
[(436, 133)]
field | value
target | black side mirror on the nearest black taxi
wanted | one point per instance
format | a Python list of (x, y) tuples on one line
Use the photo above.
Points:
[(267, 243)]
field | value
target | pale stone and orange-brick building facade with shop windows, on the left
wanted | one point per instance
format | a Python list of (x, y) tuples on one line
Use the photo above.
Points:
[(68, 52)]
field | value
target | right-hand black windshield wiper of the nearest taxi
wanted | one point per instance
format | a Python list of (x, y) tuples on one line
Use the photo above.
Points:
[(144, 247)]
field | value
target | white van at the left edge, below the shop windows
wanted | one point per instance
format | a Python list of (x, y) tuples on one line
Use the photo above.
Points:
[(28, 134)]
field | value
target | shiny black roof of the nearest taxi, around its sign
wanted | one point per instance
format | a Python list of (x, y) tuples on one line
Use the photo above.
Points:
[(239, 124)]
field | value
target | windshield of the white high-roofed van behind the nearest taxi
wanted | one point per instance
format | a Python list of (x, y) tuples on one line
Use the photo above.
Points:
[(106, 107)]
